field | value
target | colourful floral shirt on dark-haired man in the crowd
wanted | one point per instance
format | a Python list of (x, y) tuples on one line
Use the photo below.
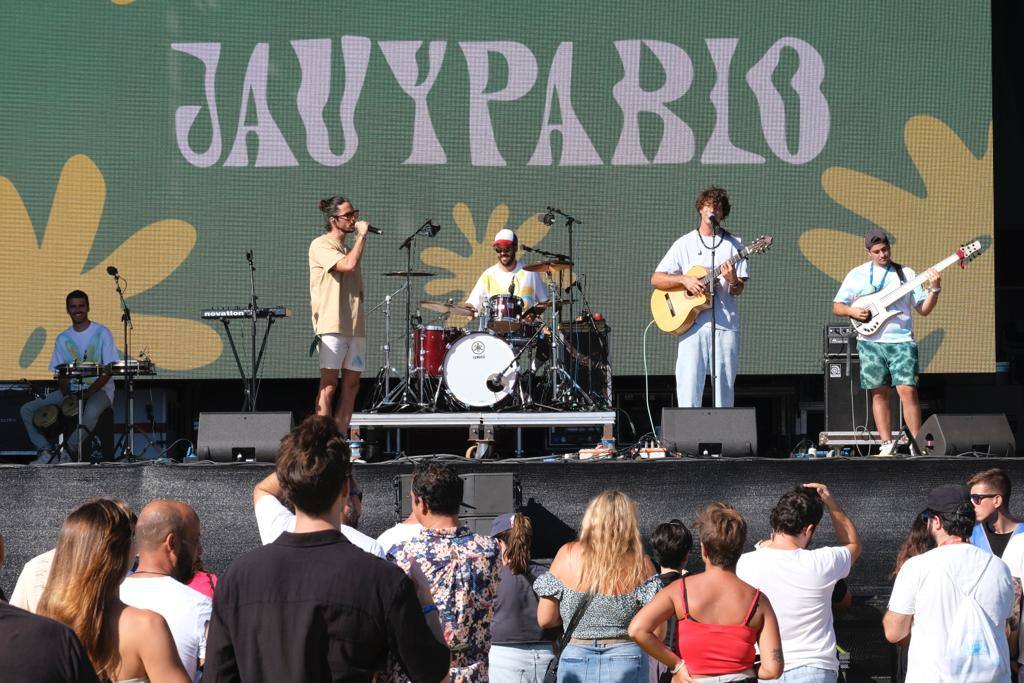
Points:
[(463, 571)]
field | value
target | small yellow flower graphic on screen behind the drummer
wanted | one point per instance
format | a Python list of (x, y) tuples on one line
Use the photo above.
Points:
[(465, 270)]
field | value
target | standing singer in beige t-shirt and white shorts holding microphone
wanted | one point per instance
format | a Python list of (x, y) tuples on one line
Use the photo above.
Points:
[(336, 303)]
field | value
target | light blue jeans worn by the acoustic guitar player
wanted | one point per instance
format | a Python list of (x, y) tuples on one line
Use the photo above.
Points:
[(694, 360)]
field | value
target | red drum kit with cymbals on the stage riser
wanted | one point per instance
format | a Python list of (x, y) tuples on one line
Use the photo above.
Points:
[(511, 362)]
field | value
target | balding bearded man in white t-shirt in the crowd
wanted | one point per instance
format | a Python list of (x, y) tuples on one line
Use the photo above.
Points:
[(167, 539)]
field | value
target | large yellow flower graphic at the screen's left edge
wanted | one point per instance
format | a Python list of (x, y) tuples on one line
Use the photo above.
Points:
[(35, 278)]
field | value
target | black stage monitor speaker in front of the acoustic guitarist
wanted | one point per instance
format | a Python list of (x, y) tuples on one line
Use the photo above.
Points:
[(730, 433)]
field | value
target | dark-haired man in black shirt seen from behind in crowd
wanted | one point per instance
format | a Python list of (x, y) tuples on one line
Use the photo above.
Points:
[(312, 607)]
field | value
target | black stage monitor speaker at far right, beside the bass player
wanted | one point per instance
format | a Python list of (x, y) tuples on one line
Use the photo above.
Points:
[(956, 435)]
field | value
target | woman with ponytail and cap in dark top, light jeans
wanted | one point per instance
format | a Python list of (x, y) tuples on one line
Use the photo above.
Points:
[(521, 651)]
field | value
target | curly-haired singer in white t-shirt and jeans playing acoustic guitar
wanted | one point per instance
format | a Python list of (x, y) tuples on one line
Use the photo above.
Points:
[(709, 246)]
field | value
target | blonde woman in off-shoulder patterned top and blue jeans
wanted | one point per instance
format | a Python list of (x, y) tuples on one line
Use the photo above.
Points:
[(609, 562)]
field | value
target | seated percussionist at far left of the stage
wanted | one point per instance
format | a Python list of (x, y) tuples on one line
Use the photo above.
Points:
[(84, 341)]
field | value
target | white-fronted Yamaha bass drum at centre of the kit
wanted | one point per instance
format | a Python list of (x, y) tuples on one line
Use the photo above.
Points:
[(471, 364)]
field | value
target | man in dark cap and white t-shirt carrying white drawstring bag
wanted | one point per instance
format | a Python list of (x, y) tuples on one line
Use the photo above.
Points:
[(925, 602)]
